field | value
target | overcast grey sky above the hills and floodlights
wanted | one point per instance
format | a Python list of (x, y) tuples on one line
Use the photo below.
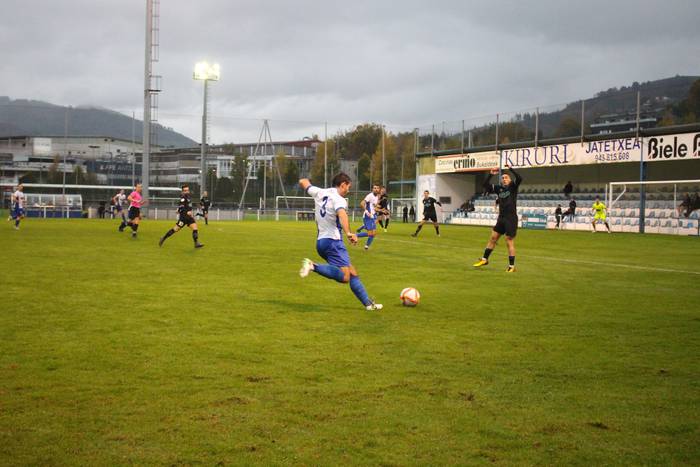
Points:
[(404, 63)]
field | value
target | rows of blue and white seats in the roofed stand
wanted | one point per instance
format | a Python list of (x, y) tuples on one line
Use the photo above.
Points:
[(661, 214)]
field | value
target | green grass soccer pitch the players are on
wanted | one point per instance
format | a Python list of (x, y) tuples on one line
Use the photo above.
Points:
[(115, 351)]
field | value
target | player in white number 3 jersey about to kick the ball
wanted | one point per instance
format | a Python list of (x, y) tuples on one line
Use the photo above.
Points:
[(332, 218)]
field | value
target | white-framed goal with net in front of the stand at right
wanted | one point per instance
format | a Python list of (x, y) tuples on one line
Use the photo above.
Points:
[(666, 206)]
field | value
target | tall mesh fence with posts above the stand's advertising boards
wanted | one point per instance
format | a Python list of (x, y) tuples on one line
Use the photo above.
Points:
[(627, 111)]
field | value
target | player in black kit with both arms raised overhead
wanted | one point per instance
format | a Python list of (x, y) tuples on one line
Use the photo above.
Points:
[(507, 222)]
